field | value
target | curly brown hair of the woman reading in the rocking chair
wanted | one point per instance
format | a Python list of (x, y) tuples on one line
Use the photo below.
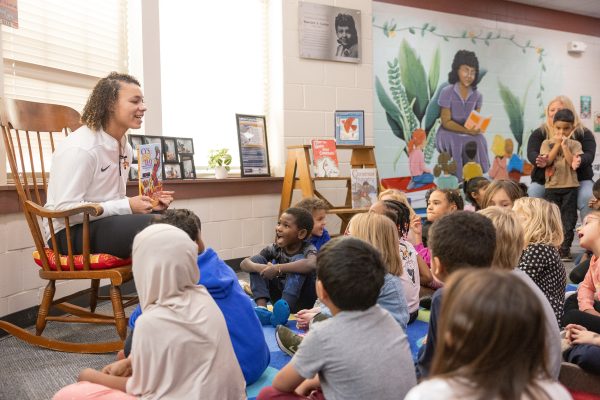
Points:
[(96, 111)]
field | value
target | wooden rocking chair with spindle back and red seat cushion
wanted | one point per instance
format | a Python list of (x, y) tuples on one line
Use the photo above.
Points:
[(30, 131)]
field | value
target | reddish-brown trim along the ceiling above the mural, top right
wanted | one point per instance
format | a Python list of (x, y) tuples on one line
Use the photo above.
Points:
[(507, 11)]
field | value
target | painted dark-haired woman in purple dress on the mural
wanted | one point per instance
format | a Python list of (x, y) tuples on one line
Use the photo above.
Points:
[(456, 102)]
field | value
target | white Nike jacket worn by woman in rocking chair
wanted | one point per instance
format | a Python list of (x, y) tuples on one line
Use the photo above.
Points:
[(86, 168)]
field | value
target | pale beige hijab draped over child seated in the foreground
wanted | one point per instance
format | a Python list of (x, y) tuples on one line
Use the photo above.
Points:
[(181, 347)]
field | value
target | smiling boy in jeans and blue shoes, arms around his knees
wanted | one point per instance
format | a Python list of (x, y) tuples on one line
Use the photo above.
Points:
[(283, 272)]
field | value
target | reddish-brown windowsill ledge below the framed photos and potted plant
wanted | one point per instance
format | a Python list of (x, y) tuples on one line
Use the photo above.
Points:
[(184, 190)]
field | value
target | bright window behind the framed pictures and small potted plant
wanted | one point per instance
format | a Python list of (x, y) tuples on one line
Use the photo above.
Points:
[(213, 65)]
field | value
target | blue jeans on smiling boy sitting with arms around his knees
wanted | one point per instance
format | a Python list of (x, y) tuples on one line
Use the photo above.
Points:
[(298, 290)]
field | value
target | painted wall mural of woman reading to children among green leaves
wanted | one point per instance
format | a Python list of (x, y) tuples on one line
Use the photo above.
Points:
[(430, 75)]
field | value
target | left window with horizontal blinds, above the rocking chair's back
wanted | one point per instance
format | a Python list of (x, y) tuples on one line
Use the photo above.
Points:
[(62, 47)]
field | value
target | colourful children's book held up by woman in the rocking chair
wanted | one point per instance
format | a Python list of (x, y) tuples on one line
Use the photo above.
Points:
[(150, 170)]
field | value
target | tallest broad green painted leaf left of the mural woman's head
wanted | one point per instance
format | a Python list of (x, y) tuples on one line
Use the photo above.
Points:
[(413, 78)]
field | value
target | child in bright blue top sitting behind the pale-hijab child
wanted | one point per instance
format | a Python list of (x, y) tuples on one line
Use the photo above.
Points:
[(244, 328)]
